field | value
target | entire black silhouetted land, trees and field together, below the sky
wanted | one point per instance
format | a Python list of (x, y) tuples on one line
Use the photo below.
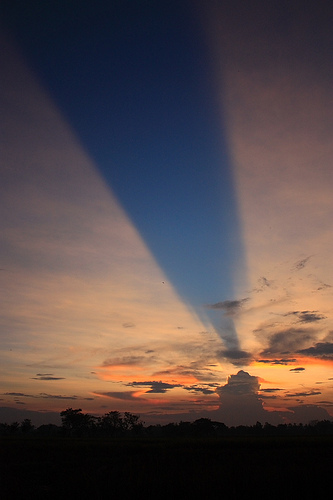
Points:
[(117, 456)]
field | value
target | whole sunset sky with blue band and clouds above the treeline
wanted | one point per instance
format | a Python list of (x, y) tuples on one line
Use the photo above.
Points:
[(166, 177)]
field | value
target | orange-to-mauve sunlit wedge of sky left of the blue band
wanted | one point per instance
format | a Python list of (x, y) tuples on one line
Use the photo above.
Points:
[(80, 292)]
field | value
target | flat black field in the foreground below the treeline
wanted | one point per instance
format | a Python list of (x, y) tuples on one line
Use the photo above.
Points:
[(277, 467)]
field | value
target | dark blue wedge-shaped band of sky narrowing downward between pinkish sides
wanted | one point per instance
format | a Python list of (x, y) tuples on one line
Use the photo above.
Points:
[(134, 80)]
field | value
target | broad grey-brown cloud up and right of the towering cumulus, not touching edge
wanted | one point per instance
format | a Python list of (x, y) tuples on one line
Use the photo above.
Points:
[(288, 341)]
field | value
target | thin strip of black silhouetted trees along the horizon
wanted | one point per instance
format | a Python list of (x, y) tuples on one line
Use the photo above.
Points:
[(114, 424)]
